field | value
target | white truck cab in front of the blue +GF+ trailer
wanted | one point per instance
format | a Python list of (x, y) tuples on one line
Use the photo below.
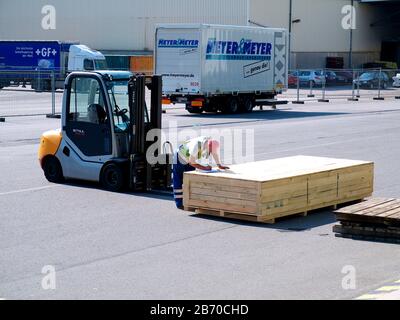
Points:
[(83, 58)]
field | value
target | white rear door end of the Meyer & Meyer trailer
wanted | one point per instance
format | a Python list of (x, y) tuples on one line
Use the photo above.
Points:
[(178, 60)]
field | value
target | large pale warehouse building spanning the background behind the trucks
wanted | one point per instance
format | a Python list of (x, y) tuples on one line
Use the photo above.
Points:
[(124, 29)]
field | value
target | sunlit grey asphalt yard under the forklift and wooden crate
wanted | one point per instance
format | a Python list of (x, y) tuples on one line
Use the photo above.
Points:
[(106, 245)]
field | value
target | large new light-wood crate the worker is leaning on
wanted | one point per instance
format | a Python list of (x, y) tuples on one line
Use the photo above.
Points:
[(267, 190)]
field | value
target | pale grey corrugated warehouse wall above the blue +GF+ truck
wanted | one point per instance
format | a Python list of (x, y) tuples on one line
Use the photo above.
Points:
[(113, 25)]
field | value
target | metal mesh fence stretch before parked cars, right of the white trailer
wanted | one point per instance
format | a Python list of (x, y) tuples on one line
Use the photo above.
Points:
[(352, 84)]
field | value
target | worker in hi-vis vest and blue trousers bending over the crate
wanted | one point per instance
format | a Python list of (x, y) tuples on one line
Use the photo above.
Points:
[(189, 157)]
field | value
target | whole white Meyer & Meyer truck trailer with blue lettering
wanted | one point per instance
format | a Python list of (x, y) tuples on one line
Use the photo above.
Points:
[(221, 68)]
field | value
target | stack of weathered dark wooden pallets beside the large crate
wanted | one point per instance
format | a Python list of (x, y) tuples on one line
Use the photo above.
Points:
[(375, 219)]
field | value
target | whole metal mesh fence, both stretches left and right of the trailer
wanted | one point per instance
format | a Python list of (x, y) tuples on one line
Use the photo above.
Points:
[(39, 92)]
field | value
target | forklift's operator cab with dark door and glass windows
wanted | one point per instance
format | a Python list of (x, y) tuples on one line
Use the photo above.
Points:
[(98, 116)]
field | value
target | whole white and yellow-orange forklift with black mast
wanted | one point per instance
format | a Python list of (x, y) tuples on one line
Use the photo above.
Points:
[(105, 122)]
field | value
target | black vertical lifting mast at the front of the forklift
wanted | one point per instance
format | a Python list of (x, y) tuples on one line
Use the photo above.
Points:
[(143, 175)]
